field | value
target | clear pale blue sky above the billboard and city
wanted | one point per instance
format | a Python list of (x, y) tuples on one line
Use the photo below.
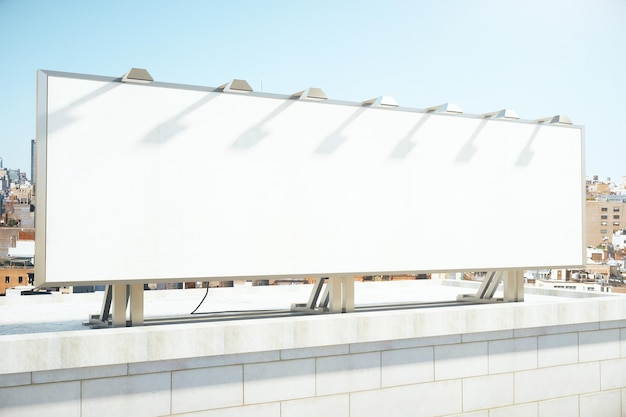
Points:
[(538, 57)]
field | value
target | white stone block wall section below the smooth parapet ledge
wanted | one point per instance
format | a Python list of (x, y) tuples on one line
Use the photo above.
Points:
[(569, 370)]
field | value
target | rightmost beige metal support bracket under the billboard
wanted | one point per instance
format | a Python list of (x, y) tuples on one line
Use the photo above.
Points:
[(513, 288)]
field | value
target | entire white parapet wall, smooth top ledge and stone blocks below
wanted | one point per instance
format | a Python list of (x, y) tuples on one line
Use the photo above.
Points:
[(540, 359)]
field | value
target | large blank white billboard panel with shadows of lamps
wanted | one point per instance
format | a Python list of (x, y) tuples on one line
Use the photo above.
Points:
[(165, 182)]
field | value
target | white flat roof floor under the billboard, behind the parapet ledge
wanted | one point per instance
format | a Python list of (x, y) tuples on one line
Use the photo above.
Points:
[(67, 312)]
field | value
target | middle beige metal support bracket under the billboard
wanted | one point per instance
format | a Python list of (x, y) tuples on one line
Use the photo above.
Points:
[(329, 295)]
